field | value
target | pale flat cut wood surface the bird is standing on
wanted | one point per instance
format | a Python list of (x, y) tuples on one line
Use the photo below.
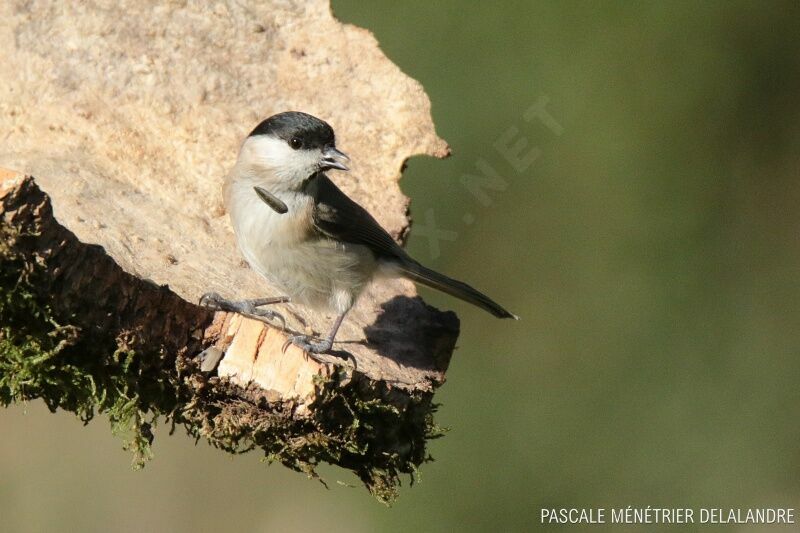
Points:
[(128, 117)]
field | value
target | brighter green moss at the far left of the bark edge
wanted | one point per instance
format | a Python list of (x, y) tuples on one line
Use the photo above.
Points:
[(59, 363)]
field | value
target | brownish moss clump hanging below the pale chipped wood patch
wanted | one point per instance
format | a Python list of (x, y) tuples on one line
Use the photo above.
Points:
[(377, 441)]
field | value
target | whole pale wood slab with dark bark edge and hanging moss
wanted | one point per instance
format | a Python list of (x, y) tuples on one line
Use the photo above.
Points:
[(129, 117)]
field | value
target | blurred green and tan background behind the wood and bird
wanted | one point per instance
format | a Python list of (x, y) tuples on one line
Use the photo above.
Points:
[(652, 250)]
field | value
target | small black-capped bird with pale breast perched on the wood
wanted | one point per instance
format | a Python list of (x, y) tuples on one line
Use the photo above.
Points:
[(298, 230)]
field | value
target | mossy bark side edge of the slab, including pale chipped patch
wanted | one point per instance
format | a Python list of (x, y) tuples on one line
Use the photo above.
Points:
[(131, 347)]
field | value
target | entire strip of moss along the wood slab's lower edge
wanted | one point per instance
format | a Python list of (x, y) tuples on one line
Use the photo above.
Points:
[(378, 433)]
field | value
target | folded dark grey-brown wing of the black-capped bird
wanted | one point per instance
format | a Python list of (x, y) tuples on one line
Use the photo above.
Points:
[(340, 218)]
